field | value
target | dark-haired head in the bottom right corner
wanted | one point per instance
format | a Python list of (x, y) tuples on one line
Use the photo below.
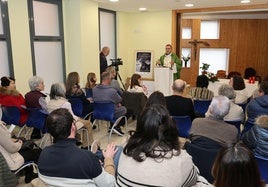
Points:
[(235, 166)]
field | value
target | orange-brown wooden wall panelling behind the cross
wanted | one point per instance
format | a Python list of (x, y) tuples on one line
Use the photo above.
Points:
[(247, 40)]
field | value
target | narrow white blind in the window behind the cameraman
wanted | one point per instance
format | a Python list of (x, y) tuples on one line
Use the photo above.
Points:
[(107, 33)]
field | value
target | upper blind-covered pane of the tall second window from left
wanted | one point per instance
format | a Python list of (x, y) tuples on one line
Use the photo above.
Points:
[(46, 22)]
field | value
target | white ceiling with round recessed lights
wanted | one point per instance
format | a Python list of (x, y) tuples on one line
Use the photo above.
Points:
[(162, 5)]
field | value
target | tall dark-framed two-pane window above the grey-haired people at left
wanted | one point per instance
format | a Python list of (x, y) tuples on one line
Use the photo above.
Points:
[(47, 40)]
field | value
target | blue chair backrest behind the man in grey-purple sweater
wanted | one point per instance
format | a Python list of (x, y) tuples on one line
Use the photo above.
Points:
[(104, 111)]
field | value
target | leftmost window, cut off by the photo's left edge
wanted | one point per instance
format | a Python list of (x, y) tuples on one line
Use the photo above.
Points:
[(6, 63)]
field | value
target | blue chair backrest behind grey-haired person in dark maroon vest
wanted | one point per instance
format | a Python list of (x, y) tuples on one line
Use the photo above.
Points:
[(36, 118)]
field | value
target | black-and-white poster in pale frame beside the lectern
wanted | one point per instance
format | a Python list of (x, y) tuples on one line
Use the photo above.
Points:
[(144, 63)]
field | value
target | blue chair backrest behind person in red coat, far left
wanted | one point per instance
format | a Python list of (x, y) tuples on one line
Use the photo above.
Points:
[(11, 115)]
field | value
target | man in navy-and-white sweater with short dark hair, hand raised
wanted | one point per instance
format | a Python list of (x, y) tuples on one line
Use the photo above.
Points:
[(64, 164)]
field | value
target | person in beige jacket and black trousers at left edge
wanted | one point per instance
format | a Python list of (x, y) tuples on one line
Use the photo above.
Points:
[(14, 154)]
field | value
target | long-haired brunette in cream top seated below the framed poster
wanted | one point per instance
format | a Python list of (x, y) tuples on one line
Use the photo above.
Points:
[(135, 84)]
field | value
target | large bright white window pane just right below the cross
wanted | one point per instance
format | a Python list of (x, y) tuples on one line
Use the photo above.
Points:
[(218, 58)]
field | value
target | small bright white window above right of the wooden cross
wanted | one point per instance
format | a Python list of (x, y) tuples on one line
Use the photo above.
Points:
[(209, 29)]
